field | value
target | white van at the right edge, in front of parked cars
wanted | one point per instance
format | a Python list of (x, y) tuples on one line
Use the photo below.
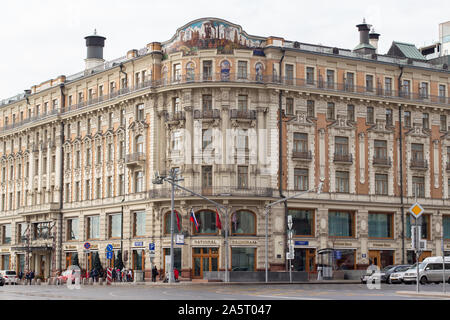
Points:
[(430, 270)]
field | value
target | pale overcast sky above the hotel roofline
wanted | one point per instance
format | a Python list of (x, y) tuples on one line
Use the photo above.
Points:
[(43, 39)]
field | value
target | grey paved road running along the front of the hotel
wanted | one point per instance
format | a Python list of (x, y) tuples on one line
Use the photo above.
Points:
[(218, 292)]
